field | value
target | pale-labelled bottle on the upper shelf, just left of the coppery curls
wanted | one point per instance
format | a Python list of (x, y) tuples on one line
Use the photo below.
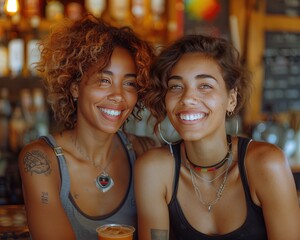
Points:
[(32, 47)]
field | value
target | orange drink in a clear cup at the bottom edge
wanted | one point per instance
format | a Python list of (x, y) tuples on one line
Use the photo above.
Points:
[(115, 231)]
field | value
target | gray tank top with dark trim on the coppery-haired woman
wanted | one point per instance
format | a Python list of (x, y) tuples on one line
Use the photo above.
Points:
[(83, 225)]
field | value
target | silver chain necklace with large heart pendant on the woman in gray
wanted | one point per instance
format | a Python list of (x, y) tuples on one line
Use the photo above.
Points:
[(103, 181)]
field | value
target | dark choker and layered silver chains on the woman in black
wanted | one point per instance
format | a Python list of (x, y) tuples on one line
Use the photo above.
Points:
[(193, 168)]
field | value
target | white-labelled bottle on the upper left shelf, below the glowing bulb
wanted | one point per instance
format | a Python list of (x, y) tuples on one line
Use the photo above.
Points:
[(16, 47)]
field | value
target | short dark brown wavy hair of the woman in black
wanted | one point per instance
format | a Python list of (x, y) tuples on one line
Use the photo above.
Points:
[(220, 50)]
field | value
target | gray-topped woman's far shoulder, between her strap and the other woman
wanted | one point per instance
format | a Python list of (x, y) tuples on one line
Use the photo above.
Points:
[(142, 143)]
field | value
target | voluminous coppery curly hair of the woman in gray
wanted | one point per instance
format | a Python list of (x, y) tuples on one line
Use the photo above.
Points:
[(72, 47)]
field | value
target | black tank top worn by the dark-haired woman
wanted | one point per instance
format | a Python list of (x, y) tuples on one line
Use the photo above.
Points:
[(252, 228)]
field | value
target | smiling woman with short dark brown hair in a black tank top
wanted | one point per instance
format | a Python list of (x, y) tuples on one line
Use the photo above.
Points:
[(210, 185)]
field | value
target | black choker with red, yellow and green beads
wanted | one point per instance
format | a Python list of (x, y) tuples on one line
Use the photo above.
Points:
[(214, 166)]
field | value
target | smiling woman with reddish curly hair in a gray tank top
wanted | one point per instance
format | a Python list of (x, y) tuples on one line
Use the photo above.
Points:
[(81, 177)]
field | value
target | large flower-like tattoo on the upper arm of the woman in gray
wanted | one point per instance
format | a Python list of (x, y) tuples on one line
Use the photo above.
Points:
[(37, 162)]
